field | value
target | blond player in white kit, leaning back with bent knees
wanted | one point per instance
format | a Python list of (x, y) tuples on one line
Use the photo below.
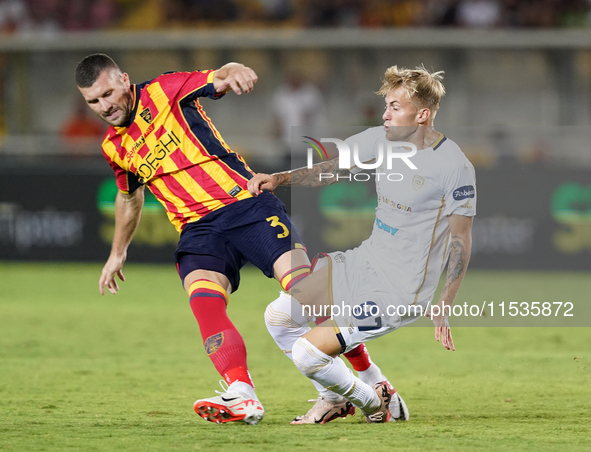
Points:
[(426, 204)]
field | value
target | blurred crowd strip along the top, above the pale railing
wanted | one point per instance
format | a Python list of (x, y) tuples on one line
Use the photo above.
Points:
[(80, 15)]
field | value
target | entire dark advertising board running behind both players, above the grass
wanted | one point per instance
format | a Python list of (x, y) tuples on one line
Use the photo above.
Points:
[(527, 217)]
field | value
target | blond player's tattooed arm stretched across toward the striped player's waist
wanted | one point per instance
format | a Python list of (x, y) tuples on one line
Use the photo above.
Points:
[(323, 173)]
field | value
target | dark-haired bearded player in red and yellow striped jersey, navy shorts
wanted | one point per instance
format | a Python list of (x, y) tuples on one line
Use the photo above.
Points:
[(160, 137)]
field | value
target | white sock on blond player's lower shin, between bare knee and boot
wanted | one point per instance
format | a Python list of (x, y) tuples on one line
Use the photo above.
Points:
[(334, 375)]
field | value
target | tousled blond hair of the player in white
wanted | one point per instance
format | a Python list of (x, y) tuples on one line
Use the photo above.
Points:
[(425, 89)]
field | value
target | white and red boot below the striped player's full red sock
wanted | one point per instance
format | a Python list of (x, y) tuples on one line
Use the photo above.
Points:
[(230, 407)]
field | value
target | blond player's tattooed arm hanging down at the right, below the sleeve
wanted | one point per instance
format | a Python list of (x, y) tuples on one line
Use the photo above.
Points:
[(459, 256)]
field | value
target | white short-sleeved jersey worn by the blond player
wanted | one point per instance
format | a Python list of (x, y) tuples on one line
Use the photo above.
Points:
[(409, 244)]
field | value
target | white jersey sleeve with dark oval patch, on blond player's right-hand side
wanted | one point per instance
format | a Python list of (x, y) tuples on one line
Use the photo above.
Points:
[(460, 190)]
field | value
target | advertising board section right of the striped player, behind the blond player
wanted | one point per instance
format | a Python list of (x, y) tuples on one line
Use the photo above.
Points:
[(527, 218)]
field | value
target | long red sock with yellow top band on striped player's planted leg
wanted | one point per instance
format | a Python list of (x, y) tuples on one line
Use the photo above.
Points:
[(222, 341)]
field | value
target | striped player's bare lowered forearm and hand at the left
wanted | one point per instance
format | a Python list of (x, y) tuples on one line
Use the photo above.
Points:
[(128, 211)]
